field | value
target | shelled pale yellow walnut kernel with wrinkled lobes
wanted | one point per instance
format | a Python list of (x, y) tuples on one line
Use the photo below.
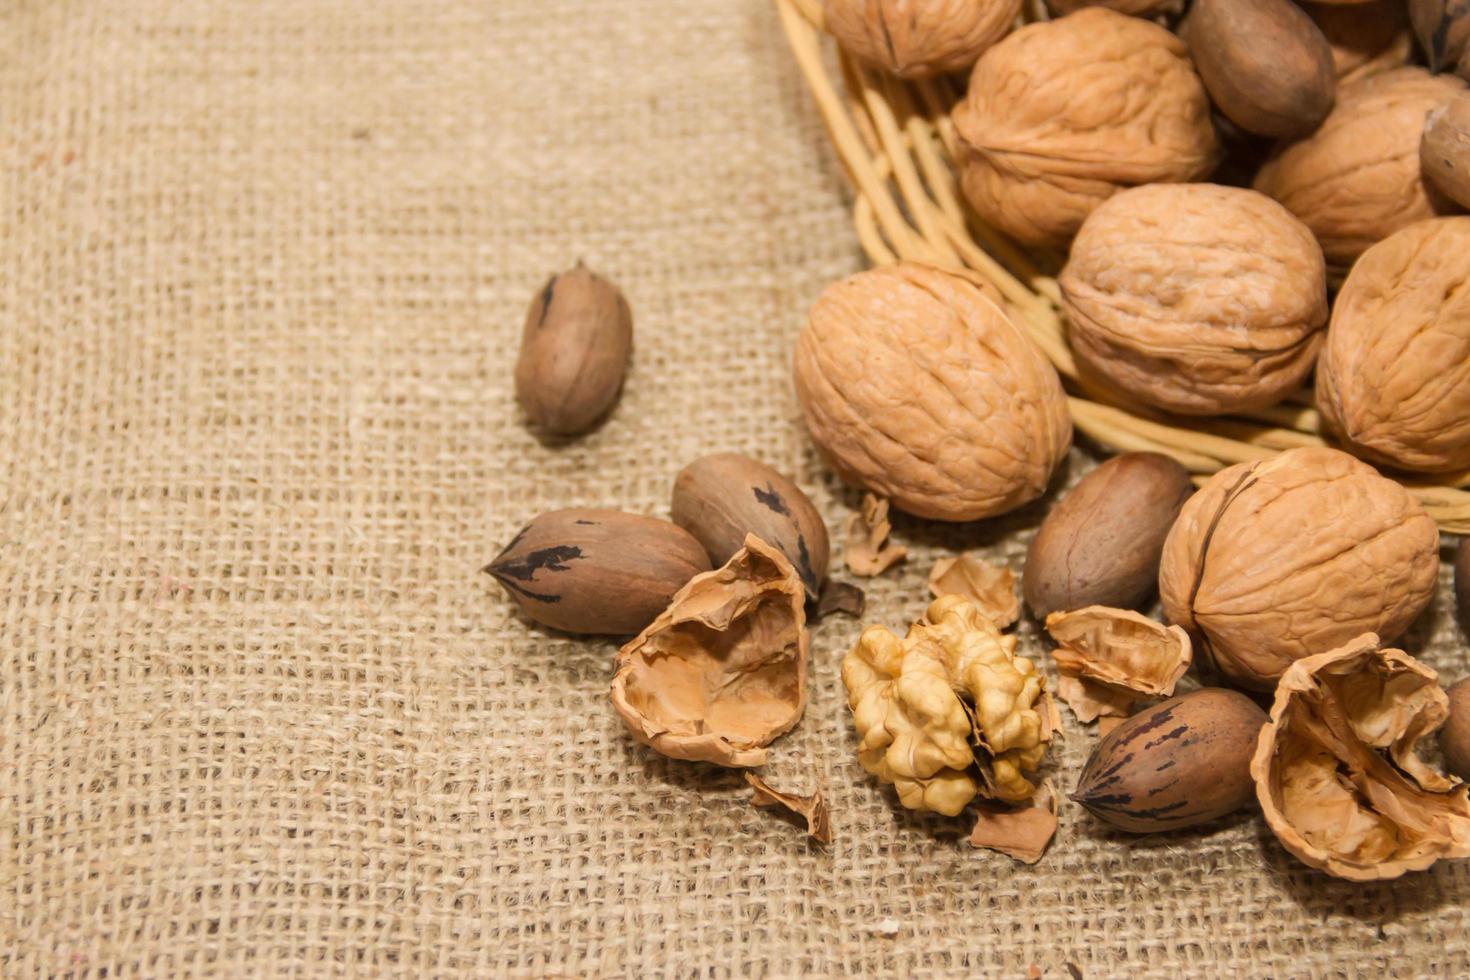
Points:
[(950, 712)]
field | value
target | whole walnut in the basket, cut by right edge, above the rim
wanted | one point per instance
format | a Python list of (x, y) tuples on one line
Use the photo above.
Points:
[(1394, 380)]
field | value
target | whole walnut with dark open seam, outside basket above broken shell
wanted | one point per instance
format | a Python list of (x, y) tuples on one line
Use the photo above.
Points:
[(1288, 558)]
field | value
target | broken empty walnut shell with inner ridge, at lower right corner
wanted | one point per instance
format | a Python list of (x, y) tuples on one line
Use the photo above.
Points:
[(1327, 788)]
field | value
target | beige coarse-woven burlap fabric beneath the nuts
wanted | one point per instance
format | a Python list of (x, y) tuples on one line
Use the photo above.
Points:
[(262, 274)]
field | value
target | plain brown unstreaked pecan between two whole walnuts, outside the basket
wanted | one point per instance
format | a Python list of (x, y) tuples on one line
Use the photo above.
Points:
[(1100, 544)]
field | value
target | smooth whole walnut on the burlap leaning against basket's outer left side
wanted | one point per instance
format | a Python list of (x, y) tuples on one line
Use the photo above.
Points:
[(918, 387)]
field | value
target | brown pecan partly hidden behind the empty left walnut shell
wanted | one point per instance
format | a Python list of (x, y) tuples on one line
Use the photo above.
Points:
[(724, 497)]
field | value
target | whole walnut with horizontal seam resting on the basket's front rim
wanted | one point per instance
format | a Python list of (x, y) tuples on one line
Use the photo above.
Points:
[(1197, 299)]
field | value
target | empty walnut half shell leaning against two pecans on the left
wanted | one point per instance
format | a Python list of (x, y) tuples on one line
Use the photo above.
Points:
[(724, 671)]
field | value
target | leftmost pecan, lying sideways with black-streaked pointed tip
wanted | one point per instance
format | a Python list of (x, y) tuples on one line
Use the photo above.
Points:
[(593, 571)]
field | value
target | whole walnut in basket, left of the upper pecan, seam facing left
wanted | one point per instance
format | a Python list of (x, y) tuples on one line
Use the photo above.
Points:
[(1065, 114)]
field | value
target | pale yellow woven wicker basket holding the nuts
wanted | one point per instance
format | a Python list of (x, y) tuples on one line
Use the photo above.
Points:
[(897, 145)]
